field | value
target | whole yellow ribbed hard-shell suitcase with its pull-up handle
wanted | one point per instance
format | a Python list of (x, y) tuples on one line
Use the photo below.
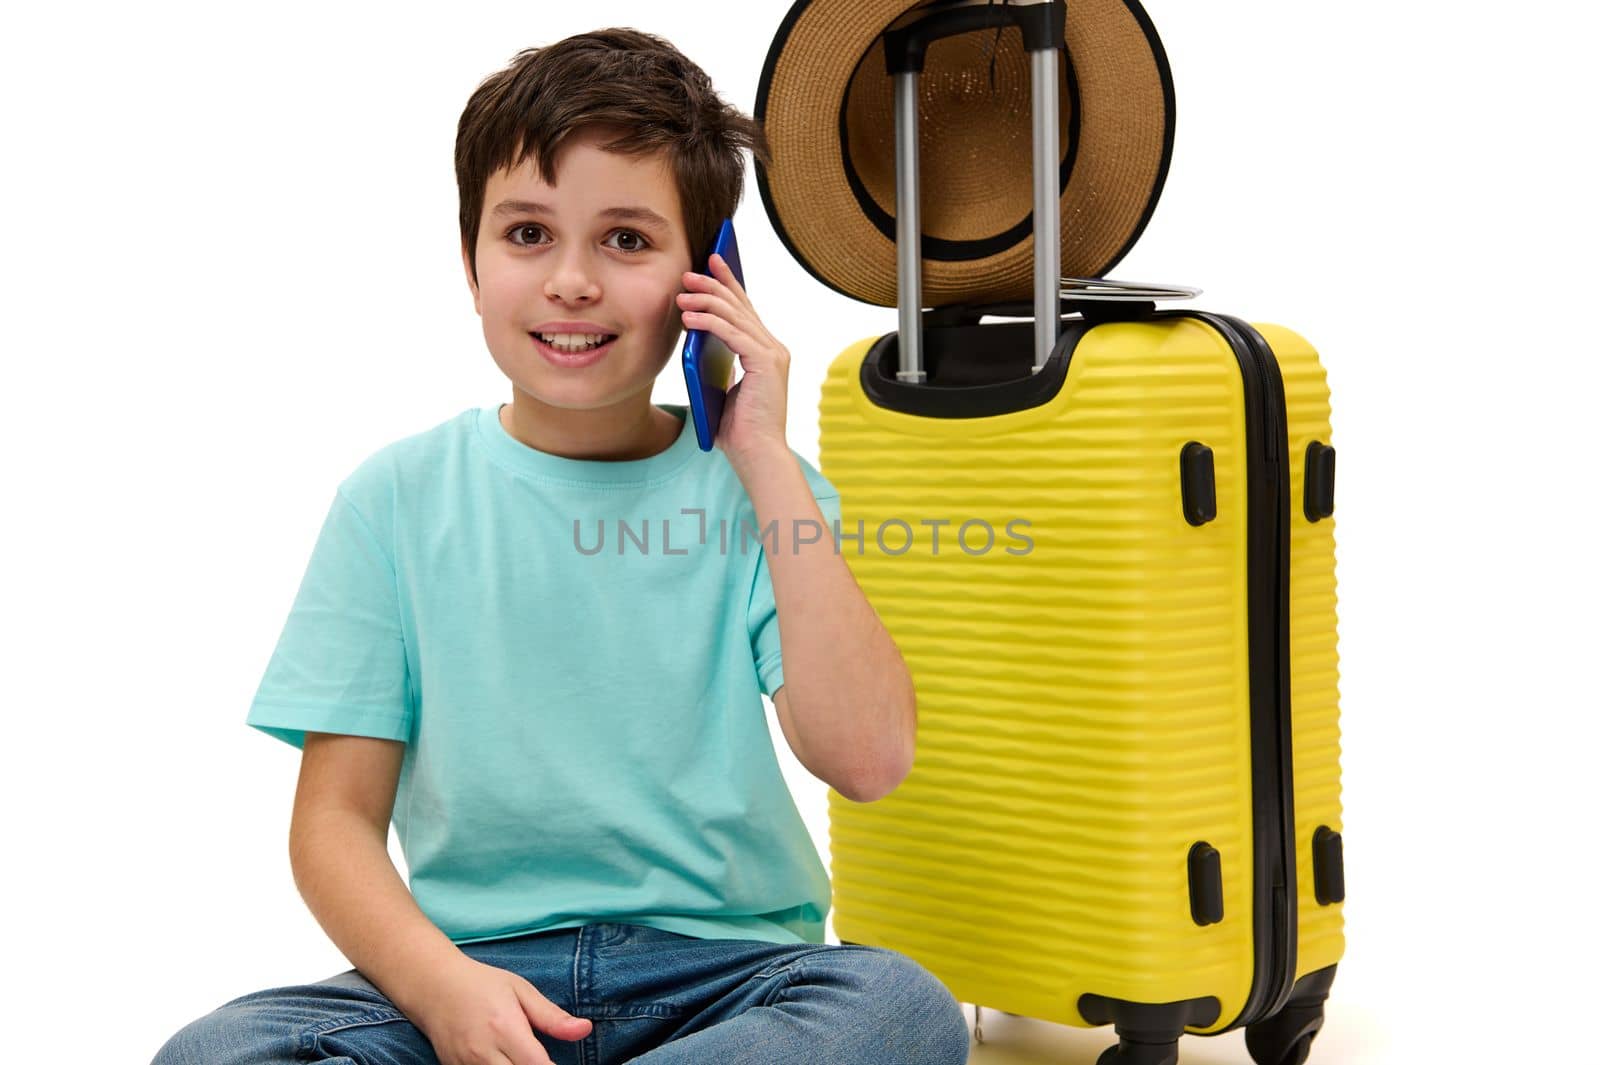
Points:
[(1111, 572)]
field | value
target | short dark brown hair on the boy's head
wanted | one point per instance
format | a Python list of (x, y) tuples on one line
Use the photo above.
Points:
[(622, 79)]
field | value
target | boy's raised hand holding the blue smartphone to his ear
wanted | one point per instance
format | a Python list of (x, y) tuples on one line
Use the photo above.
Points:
[(758, 409)]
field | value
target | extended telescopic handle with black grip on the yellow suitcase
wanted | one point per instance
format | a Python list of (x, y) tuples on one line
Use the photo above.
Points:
[(1044, 31)]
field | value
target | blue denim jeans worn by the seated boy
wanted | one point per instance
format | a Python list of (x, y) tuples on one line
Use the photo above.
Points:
[(654, 999)]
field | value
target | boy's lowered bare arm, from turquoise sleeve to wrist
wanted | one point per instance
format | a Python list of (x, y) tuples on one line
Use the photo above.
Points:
[(340, 858)]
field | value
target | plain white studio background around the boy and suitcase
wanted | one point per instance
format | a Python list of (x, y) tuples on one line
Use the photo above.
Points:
[(233, 273)]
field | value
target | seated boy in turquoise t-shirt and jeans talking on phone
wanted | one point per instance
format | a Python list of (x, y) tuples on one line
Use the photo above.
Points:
[(567, 730)]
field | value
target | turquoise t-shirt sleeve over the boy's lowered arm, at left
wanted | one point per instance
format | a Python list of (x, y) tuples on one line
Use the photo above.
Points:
[(340, 664)]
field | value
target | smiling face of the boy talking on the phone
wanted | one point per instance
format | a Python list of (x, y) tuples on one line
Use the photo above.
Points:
[(569, 261)]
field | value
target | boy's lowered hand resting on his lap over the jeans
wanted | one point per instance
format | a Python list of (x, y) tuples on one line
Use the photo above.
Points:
[(476, 1013)]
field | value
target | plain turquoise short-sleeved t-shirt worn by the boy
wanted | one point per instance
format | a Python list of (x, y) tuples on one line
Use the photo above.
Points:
[(575, 655)]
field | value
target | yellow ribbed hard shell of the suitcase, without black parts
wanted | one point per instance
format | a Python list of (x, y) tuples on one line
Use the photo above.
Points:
[(1082, 666)]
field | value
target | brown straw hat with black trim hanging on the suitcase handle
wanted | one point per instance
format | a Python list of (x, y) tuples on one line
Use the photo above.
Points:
[(828, 106)]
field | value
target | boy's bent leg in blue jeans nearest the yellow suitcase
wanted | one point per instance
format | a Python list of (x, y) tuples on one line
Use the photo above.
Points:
[(660, 999)]
